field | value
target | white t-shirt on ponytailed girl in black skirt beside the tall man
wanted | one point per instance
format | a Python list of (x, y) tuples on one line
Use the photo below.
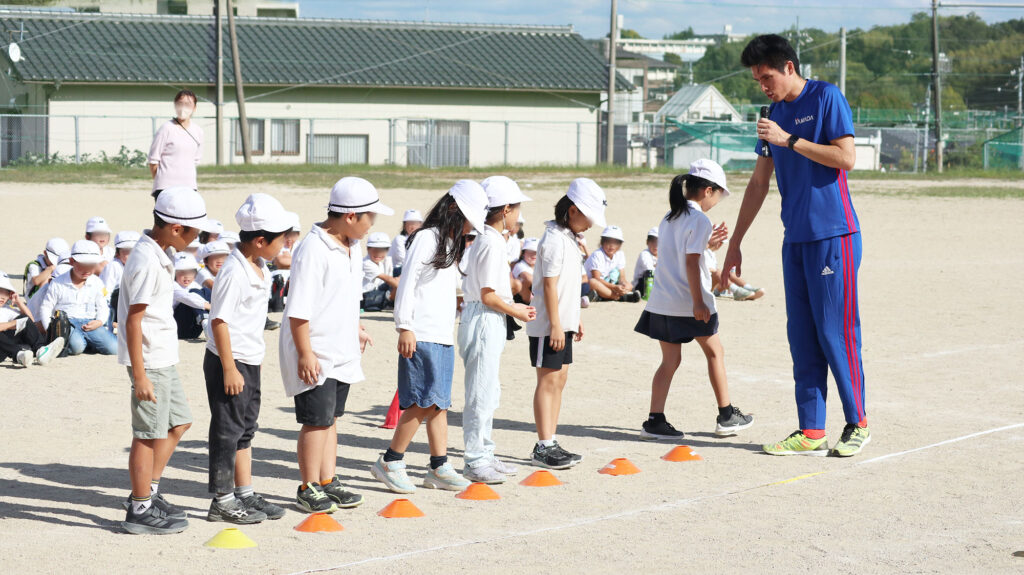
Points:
[(687, 235)]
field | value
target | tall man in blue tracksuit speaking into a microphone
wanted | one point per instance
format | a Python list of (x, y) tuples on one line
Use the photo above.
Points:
[(807, 141)]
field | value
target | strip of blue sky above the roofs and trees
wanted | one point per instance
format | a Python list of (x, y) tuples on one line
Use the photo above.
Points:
[(653, 19)]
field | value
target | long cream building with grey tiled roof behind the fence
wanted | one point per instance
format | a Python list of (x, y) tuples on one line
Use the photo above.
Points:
[(317, 91)]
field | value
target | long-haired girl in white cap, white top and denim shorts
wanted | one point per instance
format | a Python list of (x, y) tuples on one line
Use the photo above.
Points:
[(424, 317)]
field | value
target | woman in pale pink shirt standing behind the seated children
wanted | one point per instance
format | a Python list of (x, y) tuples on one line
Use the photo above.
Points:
[(177, 148)]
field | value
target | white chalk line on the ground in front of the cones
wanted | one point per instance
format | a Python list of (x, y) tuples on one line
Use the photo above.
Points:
[(629, 513)]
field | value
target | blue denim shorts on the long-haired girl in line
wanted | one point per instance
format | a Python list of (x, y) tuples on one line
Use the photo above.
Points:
[(425, 379)]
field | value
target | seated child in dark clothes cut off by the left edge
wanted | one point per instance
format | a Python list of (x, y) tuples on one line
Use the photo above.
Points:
[(21, 339)]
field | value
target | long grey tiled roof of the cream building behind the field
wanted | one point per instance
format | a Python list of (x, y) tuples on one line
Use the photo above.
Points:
[(182, 51)]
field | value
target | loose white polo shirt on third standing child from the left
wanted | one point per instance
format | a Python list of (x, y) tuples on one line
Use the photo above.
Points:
[(326, 290)]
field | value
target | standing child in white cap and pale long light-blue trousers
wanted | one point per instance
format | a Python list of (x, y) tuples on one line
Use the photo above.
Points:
[(483, 331)]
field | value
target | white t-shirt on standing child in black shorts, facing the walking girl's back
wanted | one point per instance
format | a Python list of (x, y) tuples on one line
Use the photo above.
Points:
[(558, 255)]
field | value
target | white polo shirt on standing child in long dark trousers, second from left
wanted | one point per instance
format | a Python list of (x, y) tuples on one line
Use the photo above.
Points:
[(240, 299)]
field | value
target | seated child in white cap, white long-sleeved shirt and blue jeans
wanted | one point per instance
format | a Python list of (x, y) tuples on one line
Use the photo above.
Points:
[(80, 296)]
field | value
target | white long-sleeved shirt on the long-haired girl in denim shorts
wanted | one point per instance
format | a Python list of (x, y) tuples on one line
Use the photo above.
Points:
[(425, 301)]
